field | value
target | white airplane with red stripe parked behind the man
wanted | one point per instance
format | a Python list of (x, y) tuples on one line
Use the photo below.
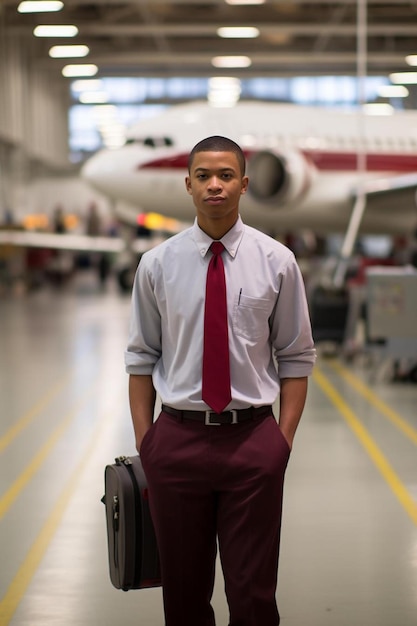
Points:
[(309, 168)]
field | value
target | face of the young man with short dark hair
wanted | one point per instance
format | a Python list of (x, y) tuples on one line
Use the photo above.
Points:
[(216, 184)]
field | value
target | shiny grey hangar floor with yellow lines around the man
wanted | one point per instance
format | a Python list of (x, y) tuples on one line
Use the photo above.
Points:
[(349, 538)]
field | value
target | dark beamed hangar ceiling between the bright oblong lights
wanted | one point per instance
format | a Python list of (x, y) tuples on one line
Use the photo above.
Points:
[(179, 38)]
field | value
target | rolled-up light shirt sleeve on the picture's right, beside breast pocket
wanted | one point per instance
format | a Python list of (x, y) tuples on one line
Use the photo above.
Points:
[(291, 333)]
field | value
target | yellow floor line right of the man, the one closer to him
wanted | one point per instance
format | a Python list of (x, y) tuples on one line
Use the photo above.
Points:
[(368, 443)]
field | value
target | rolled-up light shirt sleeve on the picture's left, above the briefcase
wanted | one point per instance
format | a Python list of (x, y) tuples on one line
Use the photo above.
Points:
[(144, 343)]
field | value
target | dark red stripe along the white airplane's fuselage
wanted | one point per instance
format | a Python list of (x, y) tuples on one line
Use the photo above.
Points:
[(324, 161)]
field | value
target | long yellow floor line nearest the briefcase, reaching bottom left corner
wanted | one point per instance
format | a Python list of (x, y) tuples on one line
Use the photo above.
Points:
[(24, 575)]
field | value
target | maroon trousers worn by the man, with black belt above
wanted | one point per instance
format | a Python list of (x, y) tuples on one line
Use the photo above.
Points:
[(209, 483)]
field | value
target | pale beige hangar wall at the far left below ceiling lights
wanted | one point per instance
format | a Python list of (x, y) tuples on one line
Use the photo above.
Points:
[(33, 122)]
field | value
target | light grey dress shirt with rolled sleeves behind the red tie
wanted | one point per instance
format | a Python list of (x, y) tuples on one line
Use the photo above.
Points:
[(267, 317)]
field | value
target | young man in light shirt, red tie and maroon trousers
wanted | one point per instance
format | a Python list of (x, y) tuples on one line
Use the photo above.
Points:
[(217, 474)]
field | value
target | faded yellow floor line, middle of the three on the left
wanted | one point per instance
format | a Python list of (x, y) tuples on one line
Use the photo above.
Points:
[(22, 480)]
